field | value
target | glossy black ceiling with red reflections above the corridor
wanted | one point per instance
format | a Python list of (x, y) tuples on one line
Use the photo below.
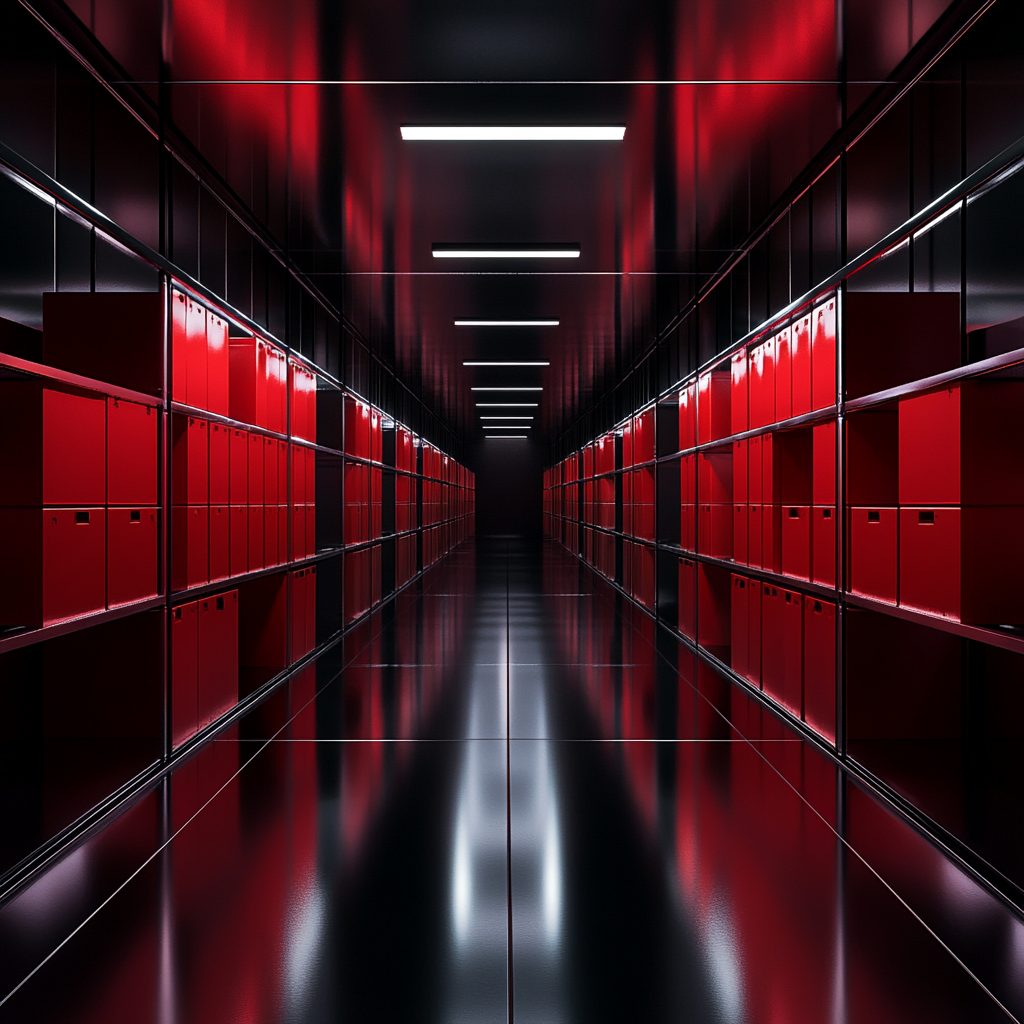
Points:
[(724, 102)]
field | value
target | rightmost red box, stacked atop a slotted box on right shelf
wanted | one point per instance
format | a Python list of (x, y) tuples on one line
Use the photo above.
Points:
[(962, 446)]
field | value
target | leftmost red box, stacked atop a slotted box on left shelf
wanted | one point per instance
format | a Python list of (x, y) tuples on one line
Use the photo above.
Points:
[(53, 447)]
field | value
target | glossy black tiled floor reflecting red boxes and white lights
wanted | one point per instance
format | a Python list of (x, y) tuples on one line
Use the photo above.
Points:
[(506, 798)]
